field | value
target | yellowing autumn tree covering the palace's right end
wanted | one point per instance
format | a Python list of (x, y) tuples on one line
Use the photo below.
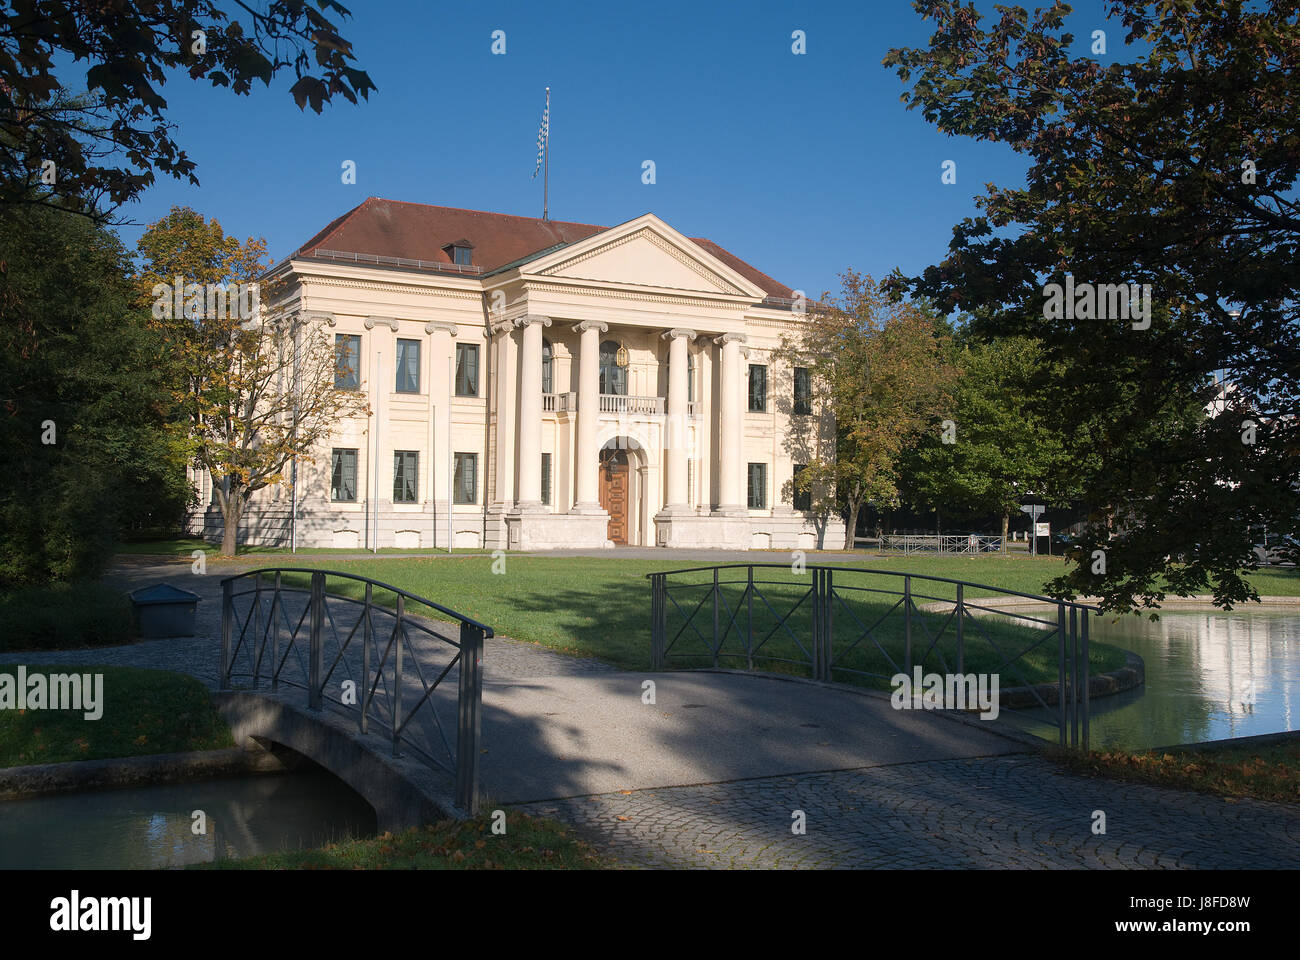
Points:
[(877, 367)]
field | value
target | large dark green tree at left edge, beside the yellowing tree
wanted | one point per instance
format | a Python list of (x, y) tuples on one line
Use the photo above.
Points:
[(84, 407)]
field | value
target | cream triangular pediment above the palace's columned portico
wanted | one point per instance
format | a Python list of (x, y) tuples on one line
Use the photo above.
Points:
[(644, 253)]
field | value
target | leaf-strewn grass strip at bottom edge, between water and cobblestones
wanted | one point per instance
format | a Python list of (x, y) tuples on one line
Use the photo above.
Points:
[(528, 845)]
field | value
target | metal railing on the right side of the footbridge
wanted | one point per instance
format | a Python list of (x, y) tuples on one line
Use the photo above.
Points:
[(838, 622)]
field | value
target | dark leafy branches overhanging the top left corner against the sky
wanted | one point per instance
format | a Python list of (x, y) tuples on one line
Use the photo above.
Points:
[(94, 148)]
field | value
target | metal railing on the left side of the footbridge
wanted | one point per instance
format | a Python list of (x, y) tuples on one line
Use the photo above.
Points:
[(372, 652)]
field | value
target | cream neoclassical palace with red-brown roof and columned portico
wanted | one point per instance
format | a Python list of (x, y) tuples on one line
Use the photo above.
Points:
[(541, 384)]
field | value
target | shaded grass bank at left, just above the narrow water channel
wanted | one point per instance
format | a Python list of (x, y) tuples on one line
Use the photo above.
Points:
[(145, 712)]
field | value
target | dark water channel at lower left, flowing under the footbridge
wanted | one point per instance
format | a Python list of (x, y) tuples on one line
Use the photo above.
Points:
[(153, 827)]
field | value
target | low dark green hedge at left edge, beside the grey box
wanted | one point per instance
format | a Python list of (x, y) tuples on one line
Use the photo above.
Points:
[(64, 617)]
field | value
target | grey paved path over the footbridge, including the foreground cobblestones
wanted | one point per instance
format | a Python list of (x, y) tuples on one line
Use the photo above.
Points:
[(713, 773)]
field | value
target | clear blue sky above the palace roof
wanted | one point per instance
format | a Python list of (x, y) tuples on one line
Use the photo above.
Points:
[(803, 166)]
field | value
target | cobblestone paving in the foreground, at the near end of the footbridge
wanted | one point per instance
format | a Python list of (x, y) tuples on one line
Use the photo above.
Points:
[(978, 814)]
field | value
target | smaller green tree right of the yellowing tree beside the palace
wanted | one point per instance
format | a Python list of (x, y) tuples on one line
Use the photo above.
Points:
[(998, 451)]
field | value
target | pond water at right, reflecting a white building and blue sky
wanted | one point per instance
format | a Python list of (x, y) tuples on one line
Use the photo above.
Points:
[(1211, 674)]
